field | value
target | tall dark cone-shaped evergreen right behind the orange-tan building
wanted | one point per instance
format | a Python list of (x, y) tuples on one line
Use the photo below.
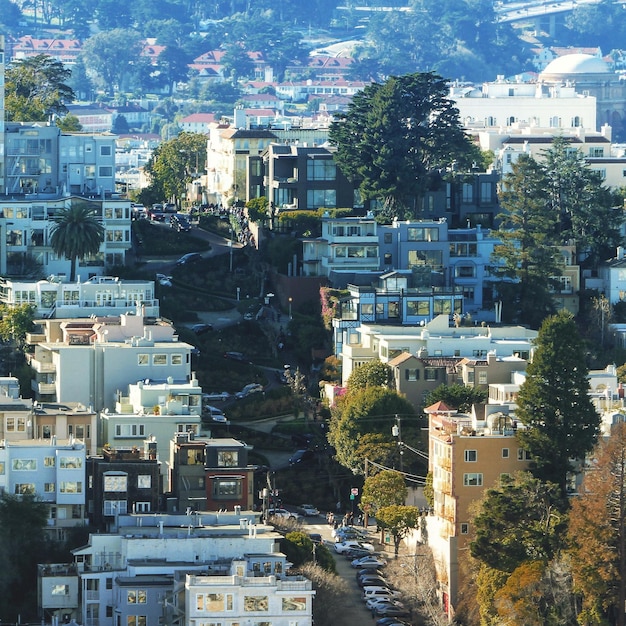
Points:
[(560, 421)]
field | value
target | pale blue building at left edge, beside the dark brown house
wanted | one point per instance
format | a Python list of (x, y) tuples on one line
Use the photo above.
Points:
[(51, 469)]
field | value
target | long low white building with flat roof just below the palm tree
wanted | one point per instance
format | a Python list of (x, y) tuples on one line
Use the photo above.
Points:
[(98, 295)]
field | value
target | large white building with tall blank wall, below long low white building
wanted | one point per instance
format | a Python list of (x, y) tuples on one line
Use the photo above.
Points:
[(91, 360)]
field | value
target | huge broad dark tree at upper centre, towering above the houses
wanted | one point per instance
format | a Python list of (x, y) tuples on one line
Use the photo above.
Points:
[(395, 136)]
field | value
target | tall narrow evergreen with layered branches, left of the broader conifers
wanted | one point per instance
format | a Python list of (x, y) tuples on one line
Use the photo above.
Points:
[(526, 258)]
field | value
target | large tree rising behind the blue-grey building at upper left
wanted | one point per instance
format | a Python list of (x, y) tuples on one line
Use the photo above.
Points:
[(36, 88)]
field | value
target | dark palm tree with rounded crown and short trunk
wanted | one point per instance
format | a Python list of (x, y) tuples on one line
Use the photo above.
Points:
[(77, 232)]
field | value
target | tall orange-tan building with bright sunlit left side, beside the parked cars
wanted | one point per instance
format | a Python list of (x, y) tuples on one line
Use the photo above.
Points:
[(467, 454)]
